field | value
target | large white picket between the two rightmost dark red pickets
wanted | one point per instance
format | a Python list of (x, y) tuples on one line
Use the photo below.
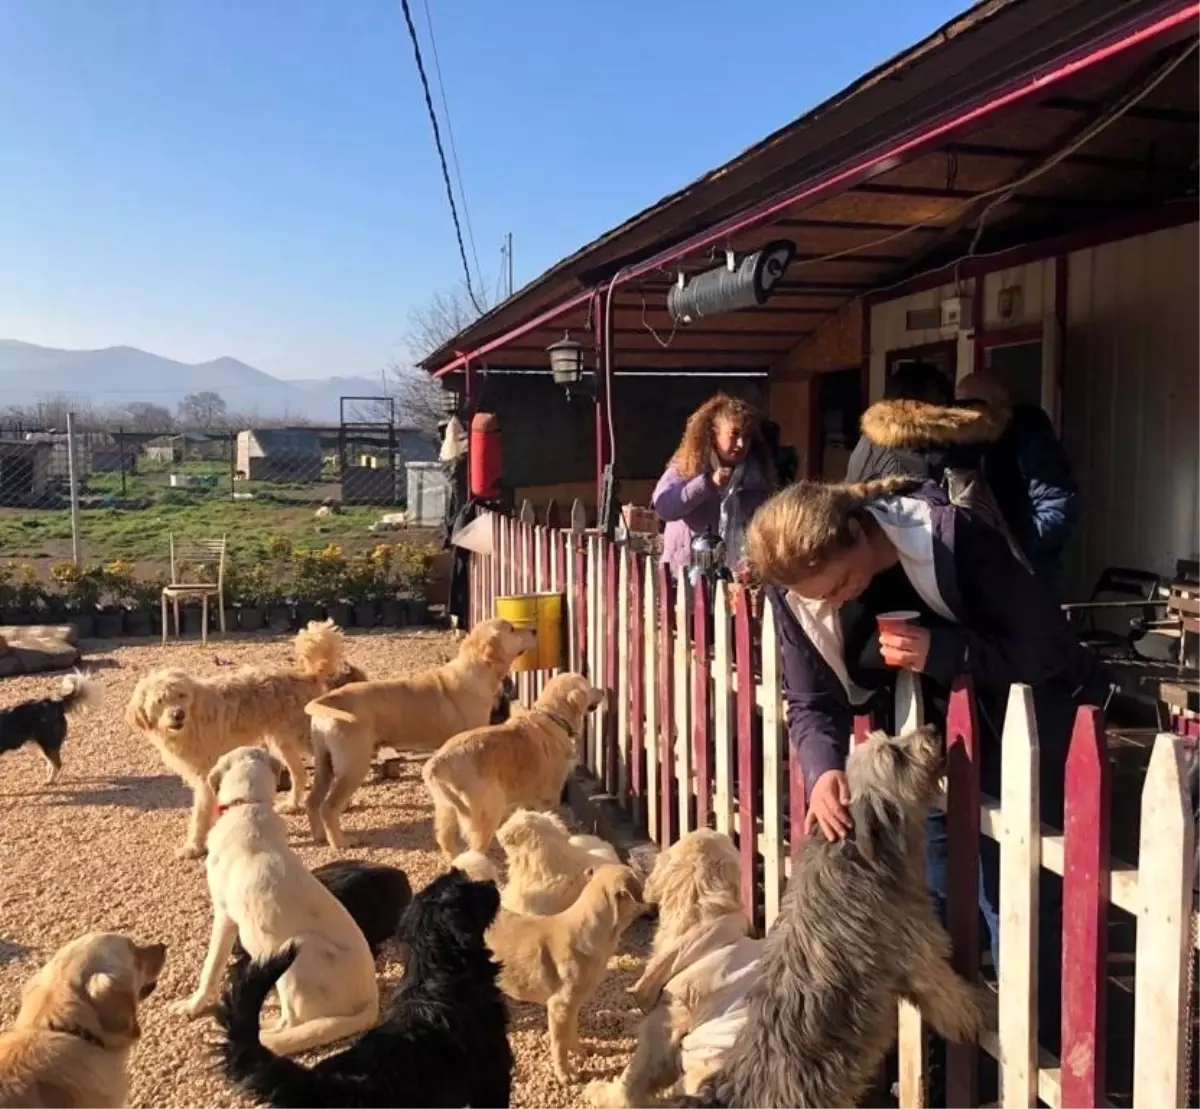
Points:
[(1021, 866)]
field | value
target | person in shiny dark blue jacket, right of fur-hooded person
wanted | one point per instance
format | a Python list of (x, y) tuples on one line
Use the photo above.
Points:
[(1030, 473)]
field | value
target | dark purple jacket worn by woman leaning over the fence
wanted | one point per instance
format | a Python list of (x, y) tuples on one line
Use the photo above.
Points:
[(1011, 630)]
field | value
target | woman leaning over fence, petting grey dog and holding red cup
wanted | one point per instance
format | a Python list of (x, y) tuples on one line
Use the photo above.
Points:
[(835, 559)]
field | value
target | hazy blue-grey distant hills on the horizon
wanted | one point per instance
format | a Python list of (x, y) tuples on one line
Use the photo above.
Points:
[(118, 376)]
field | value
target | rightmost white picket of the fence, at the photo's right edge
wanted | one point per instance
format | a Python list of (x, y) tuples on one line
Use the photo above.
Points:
[(1163, 988)]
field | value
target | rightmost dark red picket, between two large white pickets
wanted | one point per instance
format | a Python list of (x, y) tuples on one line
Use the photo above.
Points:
[(1085, 903)]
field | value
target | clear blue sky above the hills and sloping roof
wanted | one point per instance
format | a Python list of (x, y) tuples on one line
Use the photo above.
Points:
[(259, 179)]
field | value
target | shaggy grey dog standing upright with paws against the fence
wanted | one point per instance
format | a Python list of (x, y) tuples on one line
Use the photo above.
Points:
[(856, 933)]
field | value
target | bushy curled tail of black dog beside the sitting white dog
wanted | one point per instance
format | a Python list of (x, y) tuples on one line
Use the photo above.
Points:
[(274, 1080)]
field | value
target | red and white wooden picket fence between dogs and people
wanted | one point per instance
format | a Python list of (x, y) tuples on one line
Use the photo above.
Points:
[(695, 735)]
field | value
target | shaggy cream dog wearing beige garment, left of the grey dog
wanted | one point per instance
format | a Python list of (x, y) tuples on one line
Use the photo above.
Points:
[(695, 990)]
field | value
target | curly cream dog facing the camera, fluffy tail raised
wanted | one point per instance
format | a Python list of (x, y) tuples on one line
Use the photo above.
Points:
[(194, 721)]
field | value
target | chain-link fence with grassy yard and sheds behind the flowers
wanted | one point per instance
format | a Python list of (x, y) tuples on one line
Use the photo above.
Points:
[(267, 491)]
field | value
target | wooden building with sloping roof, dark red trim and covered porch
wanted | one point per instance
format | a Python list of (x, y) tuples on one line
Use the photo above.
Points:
[(1018, 191)]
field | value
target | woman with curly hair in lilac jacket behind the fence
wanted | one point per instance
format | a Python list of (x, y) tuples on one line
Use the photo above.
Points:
[(719, 475)]
